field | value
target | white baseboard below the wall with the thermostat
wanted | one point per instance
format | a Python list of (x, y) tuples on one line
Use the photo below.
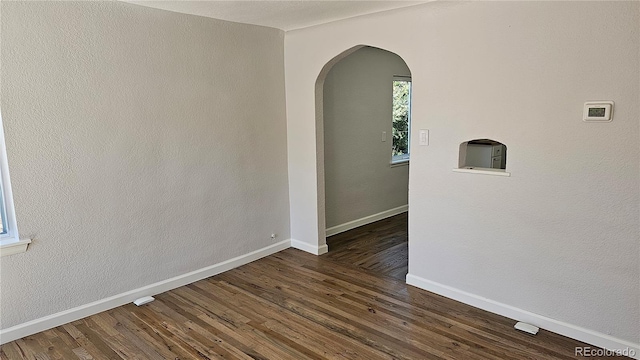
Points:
[(575, 332)]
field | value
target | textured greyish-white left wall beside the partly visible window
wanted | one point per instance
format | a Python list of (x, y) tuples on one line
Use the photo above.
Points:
[(142, 144)]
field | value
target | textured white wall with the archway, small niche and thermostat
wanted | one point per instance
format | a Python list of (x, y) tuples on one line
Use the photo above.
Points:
[(560, 237)]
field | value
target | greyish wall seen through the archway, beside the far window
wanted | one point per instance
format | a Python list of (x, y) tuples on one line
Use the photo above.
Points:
[(358, 96)]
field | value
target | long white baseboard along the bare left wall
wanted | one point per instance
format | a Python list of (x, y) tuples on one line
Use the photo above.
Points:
[(67, 316)]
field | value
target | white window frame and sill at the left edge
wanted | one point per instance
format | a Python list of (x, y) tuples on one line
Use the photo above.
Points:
[(10, 242)]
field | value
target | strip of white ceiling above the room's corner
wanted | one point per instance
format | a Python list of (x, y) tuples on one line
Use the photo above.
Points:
[(284, 15)]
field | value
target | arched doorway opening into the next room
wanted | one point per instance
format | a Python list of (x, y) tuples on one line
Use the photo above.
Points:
[(362, 127)]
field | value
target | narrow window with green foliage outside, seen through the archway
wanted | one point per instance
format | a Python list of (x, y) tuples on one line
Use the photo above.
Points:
[(401, 118)]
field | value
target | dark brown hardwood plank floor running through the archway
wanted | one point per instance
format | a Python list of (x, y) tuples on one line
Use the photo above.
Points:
[(351, 303)]
